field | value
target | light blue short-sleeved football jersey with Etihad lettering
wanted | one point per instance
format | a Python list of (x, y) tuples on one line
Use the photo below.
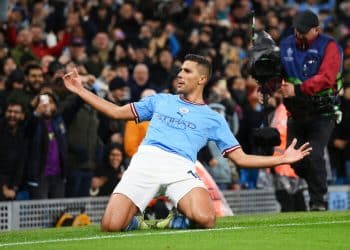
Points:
[(182, 127)]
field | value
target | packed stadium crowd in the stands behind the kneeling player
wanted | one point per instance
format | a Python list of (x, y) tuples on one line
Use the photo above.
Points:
[(52, 145)]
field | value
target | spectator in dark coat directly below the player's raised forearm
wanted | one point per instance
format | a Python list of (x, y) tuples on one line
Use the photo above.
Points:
[(84, 147)]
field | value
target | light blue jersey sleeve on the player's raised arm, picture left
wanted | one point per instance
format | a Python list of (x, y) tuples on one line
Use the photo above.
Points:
[(144, 109)]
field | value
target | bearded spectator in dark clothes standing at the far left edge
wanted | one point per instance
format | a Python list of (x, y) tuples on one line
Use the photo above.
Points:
[(12, 150)]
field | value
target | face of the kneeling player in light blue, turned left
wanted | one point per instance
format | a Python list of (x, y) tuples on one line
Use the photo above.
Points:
[(187, 78)]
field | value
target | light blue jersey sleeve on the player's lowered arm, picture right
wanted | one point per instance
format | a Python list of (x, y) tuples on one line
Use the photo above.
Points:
[(224, 138)]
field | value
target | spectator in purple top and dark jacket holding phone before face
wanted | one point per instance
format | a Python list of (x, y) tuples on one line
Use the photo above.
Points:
[(47, 156)]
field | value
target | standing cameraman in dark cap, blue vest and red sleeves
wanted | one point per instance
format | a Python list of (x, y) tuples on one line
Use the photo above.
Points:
[(312, 64)]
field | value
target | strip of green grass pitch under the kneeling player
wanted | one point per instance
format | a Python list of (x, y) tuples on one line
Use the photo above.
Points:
[(312, 230)]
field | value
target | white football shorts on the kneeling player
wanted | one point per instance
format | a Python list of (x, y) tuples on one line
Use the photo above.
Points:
[(152, 167)]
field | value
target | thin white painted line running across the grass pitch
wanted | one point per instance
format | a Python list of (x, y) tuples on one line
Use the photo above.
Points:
[(125, 235)]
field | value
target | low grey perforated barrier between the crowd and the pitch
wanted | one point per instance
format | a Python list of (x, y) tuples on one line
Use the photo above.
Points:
[(18, 215)]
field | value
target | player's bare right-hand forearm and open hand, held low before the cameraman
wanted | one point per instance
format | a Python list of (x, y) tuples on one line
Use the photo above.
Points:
[(290, 155)]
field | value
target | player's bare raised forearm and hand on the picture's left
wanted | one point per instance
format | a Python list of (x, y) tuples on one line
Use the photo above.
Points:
[(73, 83)]
